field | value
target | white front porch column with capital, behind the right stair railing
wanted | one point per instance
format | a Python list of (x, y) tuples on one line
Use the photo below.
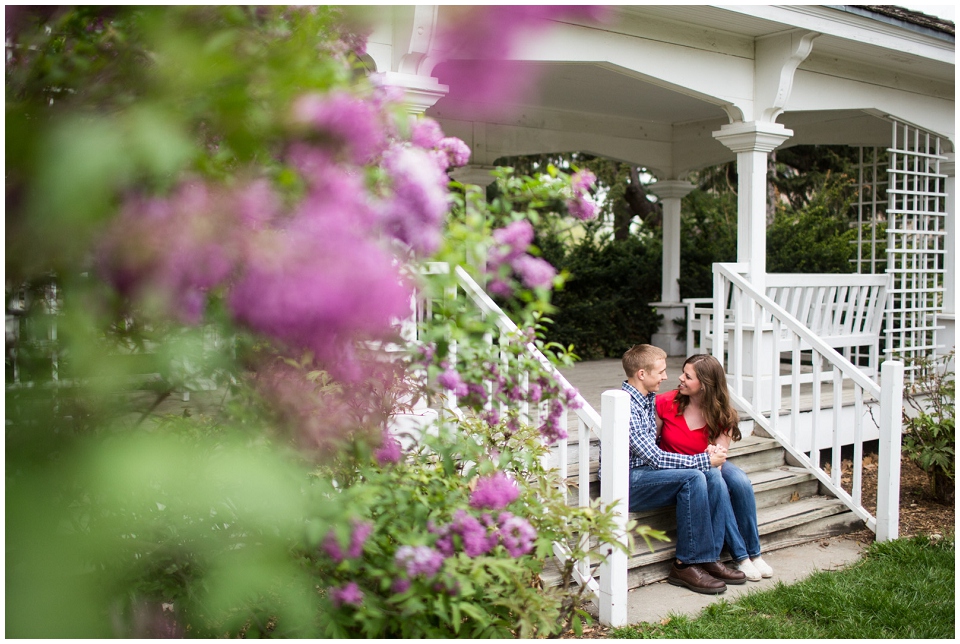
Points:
[(753, 142)]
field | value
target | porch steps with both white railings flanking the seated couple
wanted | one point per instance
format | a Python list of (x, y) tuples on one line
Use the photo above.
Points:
[(797, 500)]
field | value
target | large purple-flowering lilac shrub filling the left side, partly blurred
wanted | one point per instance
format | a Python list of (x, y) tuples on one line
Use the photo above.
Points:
[(199, 188)]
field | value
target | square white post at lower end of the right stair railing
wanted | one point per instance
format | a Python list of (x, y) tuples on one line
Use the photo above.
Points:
[(891, 430)]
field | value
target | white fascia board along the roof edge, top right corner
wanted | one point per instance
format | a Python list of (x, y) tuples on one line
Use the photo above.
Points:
[(851, 27)]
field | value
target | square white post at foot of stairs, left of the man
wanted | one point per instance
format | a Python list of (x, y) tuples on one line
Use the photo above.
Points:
[(614, 492)]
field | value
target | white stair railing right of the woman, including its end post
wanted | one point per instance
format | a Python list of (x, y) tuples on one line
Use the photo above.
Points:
[(876, 409)]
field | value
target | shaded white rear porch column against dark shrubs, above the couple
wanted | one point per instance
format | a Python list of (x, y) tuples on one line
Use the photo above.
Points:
[(670, 193)]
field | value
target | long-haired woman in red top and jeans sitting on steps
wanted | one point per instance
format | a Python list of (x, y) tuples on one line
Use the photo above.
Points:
[(698, 417)]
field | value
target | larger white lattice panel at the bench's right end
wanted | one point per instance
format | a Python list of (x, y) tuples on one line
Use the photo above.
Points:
[(916, 217)]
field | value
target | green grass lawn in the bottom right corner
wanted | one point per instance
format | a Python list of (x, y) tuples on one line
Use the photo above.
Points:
[(901, 589)]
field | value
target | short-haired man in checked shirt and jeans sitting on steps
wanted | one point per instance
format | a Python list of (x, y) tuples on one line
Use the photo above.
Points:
[(659, 479)]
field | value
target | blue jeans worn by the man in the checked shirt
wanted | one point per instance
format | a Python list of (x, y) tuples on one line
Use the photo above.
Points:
[(696, 509)]
